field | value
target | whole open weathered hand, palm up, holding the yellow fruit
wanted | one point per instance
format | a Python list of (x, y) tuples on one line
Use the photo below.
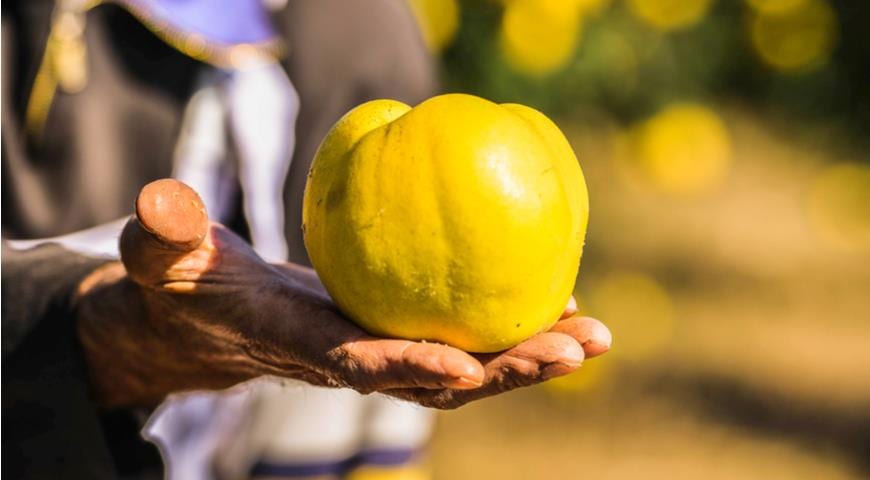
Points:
[(192, 307)]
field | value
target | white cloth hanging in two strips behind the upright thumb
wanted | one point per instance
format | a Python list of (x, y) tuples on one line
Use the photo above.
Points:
[(256, 107)]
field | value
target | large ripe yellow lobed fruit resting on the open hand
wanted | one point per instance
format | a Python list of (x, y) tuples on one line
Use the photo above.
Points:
[(459, 221)]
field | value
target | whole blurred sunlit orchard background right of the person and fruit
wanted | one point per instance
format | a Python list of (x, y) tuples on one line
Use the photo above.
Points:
[(725, 144)]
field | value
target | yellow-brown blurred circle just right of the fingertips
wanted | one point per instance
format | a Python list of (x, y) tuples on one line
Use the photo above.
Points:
[(637, 309)]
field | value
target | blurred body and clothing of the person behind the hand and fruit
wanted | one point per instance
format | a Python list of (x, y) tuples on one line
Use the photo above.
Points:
[(95, 105)]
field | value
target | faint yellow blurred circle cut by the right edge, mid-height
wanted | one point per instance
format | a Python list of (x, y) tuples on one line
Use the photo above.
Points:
[(839, 205)]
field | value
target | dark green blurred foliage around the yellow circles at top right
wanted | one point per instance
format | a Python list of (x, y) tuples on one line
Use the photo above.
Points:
[(628, 69)]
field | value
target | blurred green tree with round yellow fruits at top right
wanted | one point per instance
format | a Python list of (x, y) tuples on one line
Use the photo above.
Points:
[(807, 59)]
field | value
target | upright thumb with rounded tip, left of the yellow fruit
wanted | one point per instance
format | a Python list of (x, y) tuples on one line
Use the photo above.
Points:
[(170, 221)]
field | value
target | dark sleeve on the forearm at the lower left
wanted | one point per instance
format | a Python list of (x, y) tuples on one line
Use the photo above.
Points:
[(51, 427)]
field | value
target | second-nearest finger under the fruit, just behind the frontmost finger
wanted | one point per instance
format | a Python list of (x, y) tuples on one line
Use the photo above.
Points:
[(540, 358)]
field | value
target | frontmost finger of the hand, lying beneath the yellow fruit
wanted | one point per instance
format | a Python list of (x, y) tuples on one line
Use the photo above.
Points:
[(372, 364)]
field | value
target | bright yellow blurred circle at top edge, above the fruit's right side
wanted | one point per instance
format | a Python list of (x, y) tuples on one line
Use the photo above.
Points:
[(539, 36)]
